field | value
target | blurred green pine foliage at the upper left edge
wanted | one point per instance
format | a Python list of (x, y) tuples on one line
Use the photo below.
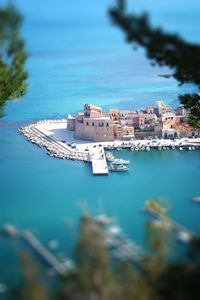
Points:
[(12, 56)]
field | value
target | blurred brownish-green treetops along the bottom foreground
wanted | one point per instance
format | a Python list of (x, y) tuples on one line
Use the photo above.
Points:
[(98, 276)]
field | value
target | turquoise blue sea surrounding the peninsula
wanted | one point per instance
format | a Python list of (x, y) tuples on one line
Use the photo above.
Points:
[(76, 55)]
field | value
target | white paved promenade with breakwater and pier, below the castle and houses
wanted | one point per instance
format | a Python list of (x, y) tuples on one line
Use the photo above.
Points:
[(60, 143)]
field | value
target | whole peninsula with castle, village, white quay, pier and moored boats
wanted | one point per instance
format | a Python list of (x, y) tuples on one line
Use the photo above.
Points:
[(90, 135)]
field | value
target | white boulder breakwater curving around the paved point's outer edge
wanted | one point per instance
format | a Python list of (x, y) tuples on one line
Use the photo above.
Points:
[(54, 148)]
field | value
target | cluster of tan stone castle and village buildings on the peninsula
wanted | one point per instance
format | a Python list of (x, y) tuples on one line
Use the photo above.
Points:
[(159, 121)]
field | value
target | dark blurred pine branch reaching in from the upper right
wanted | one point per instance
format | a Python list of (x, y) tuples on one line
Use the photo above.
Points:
[(166, 50)]
